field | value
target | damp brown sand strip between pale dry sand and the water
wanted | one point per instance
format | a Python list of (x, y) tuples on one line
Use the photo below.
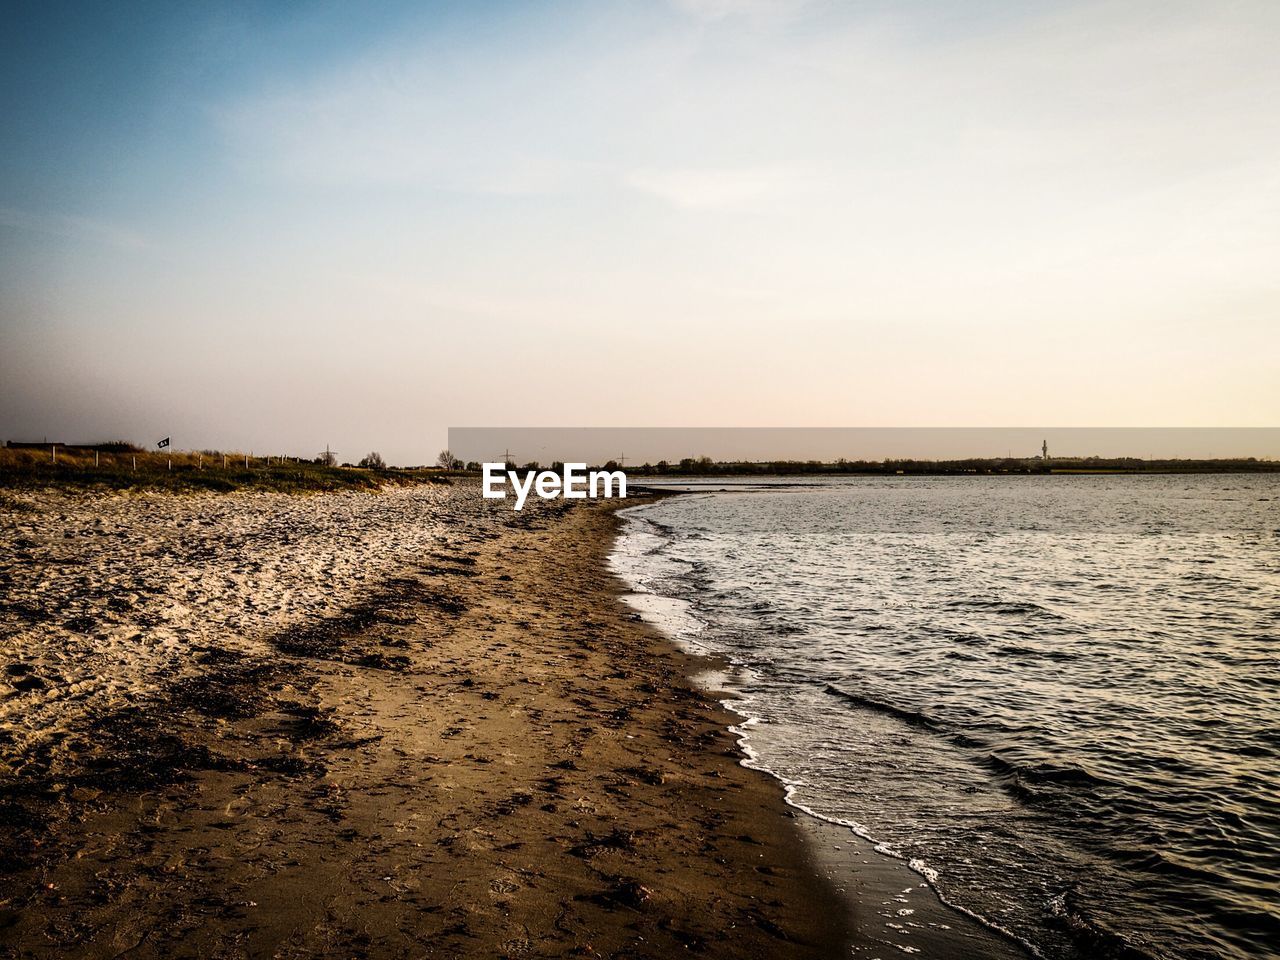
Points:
[(490, 757)]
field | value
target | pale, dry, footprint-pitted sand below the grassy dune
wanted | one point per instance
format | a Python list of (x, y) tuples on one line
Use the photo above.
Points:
[(104, 596)]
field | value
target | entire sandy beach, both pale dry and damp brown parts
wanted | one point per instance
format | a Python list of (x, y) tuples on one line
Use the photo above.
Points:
[(410, 724)]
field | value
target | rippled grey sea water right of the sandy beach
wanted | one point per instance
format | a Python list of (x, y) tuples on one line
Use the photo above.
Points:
[(1059, 697)]
